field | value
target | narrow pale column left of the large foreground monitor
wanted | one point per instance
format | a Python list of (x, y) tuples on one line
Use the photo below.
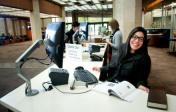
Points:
[(35, 21)]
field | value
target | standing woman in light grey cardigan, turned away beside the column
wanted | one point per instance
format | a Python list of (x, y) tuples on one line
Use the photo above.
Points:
[(115, 39)]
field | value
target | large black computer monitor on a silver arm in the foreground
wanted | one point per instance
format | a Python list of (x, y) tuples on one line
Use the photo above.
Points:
[(54, 42)]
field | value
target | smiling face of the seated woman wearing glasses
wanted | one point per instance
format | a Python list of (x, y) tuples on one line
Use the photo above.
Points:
[(136, 41)]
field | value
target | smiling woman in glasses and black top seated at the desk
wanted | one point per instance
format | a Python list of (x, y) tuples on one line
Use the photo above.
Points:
[(132, 63)]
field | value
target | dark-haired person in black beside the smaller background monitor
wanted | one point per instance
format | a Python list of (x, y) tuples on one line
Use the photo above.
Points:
[(72, 36)]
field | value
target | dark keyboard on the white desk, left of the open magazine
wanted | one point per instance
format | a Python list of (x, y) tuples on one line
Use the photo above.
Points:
[(85, 76)]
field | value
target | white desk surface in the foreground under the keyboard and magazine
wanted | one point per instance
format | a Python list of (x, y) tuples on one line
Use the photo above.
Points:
[(55, 101)]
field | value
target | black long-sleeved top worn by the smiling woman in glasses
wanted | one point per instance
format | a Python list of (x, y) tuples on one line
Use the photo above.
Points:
[(134, 68)]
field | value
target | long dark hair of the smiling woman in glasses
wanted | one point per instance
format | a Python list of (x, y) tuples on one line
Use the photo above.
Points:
[(143, 48)]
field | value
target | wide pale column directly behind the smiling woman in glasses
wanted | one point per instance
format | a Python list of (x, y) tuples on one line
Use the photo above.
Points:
[(129, 15)]
